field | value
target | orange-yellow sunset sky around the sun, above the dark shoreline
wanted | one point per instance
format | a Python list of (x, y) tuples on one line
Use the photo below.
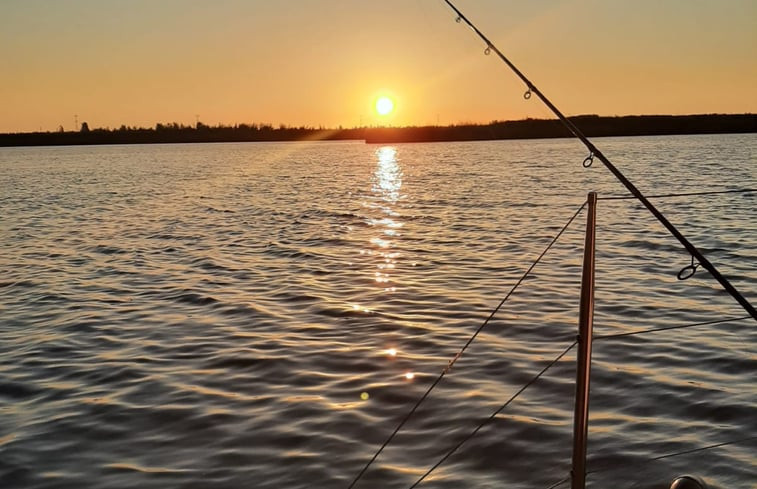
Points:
[(324, 62)]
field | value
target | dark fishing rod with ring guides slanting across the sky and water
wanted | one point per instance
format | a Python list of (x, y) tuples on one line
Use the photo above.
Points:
[(594, 152)]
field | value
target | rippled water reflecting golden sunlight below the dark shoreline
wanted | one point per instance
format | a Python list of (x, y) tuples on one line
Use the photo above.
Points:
[(219, 315)]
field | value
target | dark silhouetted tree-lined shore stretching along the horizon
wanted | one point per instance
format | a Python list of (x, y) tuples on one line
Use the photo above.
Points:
[(590, 125)]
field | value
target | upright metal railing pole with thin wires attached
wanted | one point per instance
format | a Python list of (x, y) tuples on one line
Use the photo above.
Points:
[(583, 367)]
